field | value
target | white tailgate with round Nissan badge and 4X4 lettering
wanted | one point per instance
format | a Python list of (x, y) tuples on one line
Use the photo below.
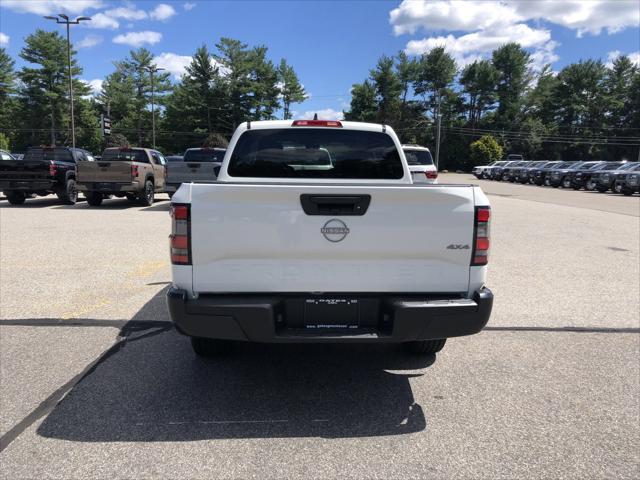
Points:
[(257, 238)]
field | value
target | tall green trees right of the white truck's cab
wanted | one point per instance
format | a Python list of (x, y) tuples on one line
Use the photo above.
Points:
[(586, 111)]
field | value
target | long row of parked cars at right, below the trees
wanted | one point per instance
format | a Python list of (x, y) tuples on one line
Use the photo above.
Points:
[(618, 177)]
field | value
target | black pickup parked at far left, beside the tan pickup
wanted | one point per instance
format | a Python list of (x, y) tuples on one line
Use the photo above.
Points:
[(42, 171)]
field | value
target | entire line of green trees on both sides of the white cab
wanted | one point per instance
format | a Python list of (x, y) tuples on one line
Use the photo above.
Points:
[(588, 110)]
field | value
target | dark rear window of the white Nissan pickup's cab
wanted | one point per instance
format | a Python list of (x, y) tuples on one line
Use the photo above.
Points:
[(315, 153)]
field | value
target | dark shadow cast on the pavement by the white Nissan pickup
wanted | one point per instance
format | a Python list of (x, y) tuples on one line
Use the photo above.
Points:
[(154, 388)]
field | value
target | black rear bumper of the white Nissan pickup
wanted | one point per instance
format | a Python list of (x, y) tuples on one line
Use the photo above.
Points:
[(280, 318)]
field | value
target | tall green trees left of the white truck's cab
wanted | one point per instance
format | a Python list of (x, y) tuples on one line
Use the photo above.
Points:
[(218, 91)]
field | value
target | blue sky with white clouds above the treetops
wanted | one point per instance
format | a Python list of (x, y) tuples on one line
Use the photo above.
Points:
[(331, 44)]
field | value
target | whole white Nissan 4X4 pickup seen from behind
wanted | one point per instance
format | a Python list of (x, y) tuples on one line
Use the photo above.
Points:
[(315, 232)]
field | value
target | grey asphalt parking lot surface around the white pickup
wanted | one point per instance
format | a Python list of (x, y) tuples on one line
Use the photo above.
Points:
[(96, 384)]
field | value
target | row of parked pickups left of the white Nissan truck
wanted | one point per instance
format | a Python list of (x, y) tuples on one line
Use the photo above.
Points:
[(131, 172)]
